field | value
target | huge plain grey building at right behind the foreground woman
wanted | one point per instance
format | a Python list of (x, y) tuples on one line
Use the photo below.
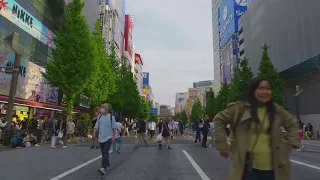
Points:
[(294, 49)]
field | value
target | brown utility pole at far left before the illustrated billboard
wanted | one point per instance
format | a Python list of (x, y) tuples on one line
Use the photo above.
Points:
[(13, 41)]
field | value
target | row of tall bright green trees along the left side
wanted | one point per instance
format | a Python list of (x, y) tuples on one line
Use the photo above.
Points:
[(80, 65)]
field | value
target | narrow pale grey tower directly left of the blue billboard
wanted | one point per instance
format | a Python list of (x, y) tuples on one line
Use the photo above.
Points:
[(216, 48)]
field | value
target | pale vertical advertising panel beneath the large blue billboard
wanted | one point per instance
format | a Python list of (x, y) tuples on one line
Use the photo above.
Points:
[(226, 61)]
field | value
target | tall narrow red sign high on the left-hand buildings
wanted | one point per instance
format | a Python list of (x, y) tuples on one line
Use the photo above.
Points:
[(128, 45)]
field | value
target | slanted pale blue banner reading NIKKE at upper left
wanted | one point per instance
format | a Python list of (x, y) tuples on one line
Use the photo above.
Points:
[(16, 14)]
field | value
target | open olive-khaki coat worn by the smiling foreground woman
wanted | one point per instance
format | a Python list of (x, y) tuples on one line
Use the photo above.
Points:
[(239, 144)]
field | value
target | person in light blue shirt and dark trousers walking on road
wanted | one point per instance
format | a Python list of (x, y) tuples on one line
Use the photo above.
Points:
[(106, 126)]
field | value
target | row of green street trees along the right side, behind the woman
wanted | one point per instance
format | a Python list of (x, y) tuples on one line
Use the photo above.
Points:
[(237, 88)]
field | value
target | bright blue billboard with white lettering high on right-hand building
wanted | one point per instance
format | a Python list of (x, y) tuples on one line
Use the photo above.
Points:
[(229, 13)]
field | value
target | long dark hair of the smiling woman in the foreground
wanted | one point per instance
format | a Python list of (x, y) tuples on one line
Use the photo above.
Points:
[(250, 98)]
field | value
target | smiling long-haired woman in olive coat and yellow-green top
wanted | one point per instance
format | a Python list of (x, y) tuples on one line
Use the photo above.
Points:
[(257, 147)]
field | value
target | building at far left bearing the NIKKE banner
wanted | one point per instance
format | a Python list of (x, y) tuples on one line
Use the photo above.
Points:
[(35, 22)]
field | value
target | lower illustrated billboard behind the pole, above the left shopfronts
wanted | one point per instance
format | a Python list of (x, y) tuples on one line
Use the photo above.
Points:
[(31, 84)]
